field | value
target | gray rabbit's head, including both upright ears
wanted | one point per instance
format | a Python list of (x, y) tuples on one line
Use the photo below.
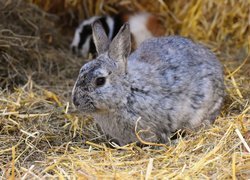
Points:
[(102, 83)]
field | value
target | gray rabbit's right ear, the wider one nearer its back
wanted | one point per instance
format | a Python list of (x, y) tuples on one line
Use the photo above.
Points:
[(120, 47)]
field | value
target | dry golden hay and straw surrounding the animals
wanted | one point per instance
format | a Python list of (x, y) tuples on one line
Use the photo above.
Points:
[(41, 135)]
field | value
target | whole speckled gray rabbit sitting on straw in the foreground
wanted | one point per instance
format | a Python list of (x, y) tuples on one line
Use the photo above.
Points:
[(170, 82)]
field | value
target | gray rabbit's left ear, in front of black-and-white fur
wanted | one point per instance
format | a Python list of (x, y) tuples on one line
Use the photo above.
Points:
[(100, 37)]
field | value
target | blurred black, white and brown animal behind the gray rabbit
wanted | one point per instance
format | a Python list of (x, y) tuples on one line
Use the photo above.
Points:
[(142, 26)]
